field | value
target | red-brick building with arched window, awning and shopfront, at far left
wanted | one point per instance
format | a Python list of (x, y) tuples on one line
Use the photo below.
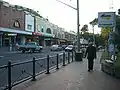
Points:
[(12, 25)]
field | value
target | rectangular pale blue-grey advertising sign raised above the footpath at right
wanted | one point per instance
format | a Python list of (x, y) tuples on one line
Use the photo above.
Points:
[(106, 19)]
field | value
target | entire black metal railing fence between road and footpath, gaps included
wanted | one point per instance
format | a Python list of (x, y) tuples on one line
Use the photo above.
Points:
[(14, 74)]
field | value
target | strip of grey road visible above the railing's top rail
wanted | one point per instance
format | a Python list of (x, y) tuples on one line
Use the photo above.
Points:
[(16, 57)]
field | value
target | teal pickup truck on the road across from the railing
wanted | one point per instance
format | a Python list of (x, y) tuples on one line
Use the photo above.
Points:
[(30, 46)]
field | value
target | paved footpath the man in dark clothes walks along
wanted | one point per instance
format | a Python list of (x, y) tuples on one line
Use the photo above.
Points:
[(73, 77)]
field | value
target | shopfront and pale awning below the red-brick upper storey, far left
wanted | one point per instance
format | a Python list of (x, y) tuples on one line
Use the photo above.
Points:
[(12, 36)]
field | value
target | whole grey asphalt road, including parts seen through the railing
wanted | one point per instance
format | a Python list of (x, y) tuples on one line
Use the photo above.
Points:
[(24, 70)]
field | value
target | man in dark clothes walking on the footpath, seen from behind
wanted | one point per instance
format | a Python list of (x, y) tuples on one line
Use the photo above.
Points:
[(91, 55)]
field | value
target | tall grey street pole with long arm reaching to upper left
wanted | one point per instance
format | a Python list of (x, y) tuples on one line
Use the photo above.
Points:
[(78, 36)]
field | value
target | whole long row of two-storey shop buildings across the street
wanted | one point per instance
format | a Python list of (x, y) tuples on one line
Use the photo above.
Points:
[(19, 25)]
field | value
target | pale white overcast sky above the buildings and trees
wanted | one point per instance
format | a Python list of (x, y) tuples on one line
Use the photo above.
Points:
[(66, 17)]
